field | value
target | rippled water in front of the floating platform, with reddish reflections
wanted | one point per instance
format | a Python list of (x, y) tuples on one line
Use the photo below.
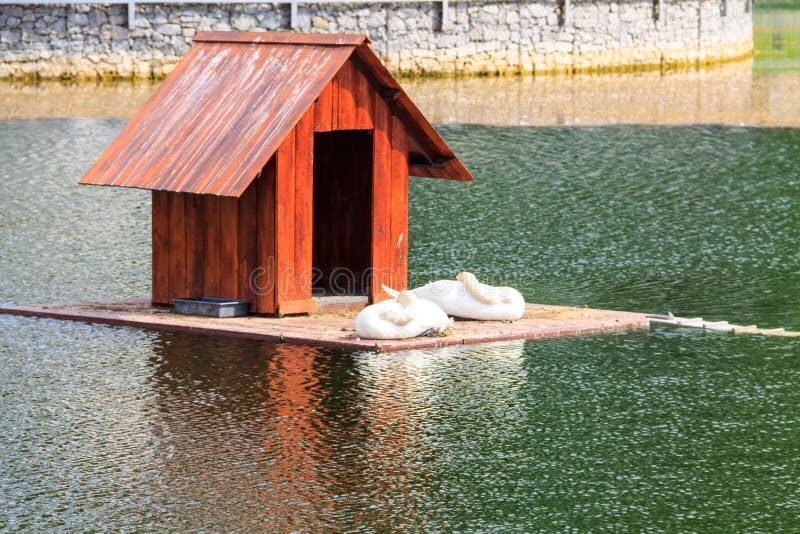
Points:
[(146, 431)]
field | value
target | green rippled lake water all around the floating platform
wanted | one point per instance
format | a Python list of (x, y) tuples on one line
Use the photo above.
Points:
[(106, 428)]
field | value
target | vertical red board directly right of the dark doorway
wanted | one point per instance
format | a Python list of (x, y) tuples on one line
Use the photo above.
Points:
[(381, 195)]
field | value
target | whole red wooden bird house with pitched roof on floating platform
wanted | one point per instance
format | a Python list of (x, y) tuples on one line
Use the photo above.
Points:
[(279, 167)]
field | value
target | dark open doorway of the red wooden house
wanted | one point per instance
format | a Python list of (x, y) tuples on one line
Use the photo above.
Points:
[(342, 212)]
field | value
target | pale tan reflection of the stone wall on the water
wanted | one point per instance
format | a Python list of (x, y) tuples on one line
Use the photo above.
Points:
[(728, 94)]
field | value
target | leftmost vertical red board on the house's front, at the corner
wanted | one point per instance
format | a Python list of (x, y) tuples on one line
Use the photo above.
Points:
[(284, 219)]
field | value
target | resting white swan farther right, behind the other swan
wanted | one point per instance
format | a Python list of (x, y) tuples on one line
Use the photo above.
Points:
[(467, 298)]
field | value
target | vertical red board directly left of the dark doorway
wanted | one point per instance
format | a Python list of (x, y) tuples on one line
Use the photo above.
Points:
[(303, 205)]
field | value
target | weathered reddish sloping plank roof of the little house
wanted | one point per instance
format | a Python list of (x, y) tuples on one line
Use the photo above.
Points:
[(222, 113)]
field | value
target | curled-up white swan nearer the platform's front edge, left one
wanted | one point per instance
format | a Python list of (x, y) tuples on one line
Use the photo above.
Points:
[(402, 317)]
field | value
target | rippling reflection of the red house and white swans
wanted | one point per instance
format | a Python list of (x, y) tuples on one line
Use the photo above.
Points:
[(296, 437)]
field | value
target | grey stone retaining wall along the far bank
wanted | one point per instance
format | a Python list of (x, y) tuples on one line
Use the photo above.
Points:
[(482, 36)]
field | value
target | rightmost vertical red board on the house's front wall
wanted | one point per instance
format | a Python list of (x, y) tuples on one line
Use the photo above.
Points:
[(399, 205)]
